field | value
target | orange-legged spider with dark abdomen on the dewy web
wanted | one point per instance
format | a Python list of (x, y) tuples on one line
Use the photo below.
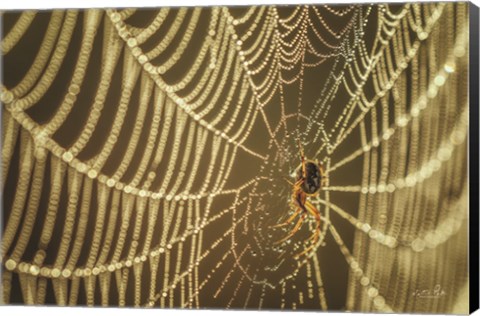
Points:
[(310, 178)]
